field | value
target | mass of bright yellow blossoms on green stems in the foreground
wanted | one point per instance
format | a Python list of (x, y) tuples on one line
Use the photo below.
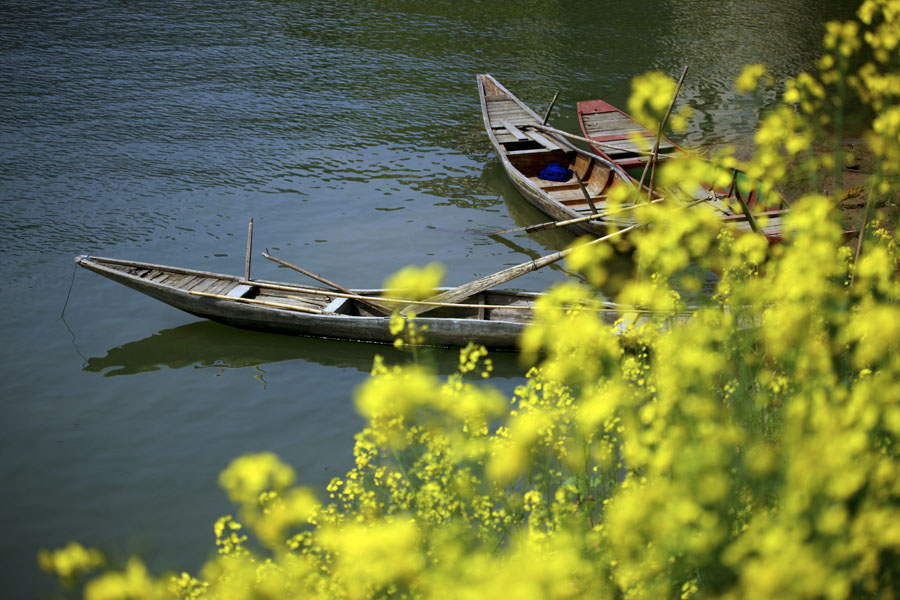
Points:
[(733, 436)]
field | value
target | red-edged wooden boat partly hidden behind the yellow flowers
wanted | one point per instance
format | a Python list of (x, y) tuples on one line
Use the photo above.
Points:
[(611, 133)]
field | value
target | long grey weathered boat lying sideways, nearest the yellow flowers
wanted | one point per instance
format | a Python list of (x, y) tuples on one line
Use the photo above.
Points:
[(492, 318)]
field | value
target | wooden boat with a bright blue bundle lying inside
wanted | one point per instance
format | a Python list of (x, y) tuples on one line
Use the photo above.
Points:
[(526, 149)]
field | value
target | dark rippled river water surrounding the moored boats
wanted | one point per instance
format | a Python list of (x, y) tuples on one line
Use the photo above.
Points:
[(351, 133)]
